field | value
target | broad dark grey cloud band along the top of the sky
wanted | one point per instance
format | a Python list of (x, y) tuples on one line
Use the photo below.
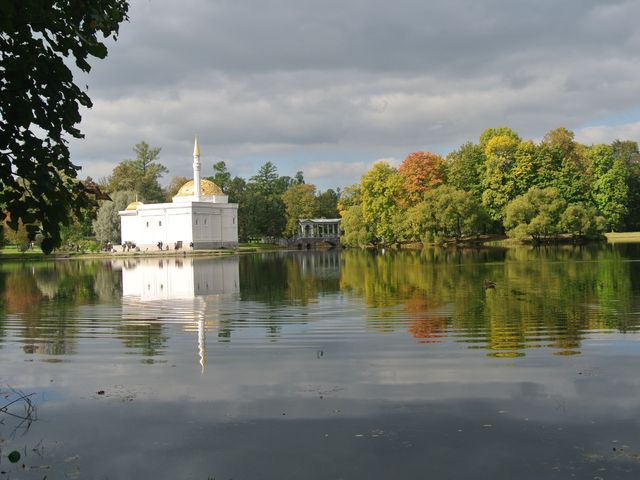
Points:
[(165, 42)]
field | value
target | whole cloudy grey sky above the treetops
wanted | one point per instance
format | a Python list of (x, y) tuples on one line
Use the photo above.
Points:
[(329, 87)]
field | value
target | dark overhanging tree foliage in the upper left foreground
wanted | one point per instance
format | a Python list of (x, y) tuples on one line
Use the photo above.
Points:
[(40, 104)]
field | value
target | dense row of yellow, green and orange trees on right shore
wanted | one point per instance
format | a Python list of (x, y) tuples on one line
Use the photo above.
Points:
[(502, 184)]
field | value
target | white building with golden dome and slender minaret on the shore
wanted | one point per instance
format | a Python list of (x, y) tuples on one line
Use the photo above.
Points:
[(200, 216)]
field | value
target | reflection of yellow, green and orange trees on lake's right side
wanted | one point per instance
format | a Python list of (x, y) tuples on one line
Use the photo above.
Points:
[(544, 297)]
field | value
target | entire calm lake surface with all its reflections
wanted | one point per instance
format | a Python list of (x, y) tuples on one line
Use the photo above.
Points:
[(325, 365)]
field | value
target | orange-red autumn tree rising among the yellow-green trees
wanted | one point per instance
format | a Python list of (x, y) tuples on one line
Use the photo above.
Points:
[(421, 171)]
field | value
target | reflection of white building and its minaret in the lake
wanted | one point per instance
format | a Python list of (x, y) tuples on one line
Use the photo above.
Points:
[(177, 290)]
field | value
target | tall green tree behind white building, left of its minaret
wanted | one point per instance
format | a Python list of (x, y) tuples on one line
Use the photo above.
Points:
[(140, 175)]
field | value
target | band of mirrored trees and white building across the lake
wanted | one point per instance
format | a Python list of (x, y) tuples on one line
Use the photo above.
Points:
[(551, 298)]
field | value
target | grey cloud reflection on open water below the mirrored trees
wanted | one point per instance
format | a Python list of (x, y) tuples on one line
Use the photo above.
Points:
[(236, 408)]
